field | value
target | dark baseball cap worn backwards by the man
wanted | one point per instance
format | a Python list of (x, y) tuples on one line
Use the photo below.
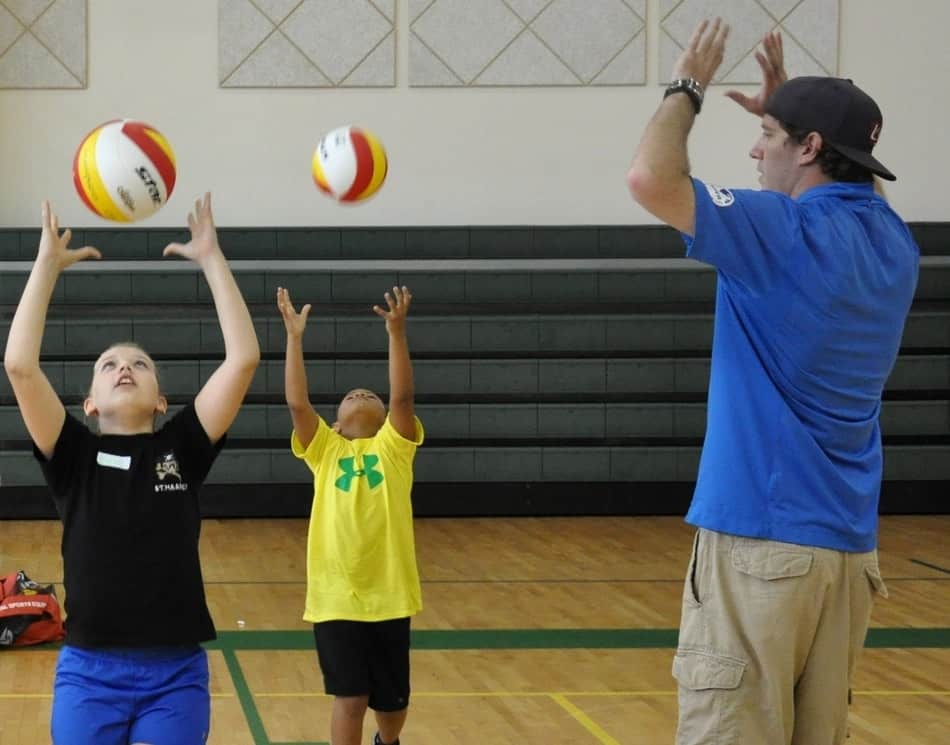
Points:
[(845, 116)]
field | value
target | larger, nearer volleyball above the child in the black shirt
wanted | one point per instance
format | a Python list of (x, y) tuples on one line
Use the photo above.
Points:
[(124, 170)]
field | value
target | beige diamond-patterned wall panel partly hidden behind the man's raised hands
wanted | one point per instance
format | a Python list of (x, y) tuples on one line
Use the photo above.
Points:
[(809, 31)]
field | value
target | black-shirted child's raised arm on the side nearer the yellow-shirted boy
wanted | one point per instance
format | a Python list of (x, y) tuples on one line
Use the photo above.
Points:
[(219, 400)]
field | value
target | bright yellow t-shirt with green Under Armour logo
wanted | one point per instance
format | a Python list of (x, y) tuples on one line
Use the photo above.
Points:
[(361, 553)]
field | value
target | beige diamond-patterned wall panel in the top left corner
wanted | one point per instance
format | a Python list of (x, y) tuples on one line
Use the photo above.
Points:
[(42, 43)]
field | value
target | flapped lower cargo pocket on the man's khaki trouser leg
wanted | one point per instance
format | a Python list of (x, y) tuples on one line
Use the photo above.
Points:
[(709, 703)]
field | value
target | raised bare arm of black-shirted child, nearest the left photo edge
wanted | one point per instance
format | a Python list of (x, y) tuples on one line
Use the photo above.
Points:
[(41, 409)]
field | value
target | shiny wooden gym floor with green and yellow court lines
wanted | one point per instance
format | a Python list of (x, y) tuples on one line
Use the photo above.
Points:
[(546, 630)]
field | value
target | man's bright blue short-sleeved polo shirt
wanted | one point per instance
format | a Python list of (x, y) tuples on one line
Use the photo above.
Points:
[(811, 298)]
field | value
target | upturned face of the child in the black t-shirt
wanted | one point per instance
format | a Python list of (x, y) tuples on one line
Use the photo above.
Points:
[(124, 386)]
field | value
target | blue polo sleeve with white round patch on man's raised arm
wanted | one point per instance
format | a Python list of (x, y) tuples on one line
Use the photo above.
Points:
[(747, 235)]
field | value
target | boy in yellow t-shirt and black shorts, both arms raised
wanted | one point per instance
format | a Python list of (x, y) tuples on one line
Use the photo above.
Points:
[(362, 580)]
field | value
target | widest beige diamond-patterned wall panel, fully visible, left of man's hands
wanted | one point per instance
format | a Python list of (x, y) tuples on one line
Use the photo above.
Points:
[(526, 42)]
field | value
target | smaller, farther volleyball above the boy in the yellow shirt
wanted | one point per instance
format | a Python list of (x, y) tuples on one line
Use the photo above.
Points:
[(349, 164)]
